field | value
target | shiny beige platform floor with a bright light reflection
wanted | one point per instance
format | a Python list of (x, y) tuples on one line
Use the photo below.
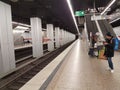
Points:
[(81, 72)]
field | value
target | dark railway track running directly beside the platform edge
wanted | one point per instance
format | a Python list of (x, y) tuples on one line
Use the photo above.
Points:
[(17, 79)]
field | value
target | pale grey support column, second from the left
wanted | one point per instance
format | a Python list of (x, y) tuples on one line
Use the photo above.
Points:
[(36, 29)]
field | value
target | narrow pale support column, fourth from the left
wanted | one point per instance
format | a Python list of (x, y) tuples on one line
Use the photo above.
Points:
[(57, 37)]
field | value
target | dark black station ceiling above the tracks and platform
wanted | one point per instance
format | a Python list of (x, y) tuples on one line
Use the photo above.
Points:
[(50, 11)]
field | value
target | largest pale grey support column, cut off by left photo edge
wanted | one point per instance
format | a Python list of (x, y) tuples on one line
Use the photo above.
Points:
[(7, 56)]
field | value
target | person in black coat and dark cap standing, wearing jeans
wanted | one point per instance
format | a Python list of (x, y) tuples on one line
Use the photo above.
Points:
[(109, 50)]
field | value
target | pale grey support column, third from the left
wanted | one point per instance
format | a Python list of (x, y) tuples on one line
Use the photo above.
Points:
[(50, 36)]
